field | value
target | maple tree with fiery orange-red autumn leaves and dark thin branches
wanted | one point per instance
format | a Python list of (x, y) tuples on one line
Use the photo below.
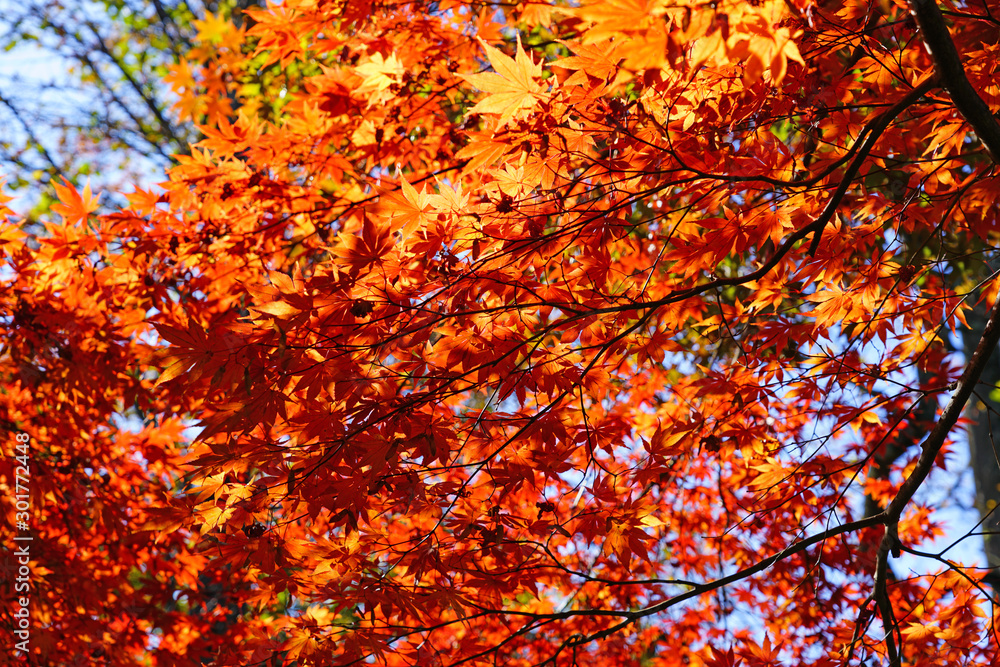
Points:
[(528, 334)]
